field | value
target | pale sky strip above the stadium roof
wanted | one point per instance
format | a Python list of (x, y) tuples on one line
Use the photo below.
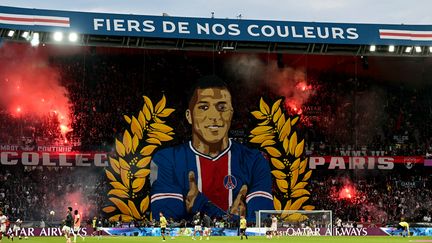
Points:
[(341, 11)]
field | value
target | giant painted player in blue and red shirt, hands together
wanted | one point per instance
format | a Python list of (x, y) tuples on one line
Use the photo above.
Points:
[(212, 173)]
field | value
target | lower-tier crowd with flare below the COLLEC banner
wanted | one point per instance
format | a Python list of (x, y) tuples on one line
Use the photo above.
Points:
[(31, 193)]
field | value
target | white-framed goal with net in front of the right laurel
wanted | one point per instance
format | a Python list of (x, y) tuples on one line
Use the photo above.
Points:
[(296, 222)]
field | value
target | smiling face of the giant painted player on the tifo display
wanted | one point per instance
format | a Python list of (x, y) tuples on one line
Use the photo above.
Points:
[(211, 115)]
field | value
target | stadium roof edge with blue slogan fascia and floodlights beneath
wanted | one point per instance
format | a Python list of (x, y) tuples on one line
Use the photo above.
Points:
[(211, 34)]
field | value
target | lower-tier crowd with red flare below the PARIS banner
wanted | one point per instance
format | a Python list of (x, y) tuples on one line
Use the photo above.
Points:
[(379, 199)]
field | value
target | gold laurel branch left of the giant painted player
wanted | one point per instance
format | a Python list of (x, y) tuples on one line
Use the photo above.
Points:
[(129, 172)]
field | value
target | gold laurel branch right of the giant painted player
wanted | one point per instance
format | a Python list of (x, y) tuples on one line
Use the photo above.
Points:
[(277, 136)]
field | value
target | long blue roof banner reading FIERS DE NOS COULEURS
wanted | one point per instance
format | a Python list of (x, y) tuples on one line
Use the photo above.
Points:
[(212, 28)]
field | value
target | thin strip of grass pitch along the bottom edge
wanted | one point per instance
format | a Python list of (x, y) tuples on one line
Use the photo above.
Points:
[(341, 239)]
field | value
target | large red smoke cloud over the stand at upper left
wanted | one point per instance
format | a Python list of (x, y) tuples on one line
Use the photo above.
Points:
[(30, 86)]
